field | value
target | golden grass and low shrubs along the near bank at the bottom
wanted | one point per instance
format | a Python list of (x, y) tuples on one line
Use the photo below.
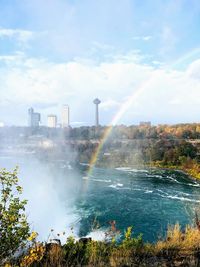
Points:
[(179, 248)]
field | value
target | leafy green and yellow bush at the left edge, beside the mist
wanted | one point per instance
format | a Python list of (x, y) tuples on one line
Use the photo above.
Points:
[(14, 228)]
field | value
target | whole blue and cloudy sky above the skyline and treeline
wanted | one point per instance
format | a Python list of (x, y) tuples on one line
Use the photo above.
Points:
[(140, 58)]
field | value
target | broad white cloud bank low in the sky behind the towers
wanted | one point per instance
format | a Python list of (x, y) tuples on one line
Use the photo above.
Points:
[(165, 95)]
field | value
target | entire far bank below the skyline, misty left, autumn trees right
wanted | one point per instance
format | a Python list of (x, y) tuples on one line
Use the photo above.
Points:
[(167, 146)]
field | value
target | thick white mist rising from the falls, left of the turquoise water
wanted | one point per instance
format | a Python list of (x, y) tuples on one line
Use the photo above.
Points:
[(51, 186)]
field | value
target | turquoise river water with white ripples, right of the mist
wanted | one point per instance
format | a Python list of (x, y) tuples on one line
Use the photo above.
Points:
[(148, 200)]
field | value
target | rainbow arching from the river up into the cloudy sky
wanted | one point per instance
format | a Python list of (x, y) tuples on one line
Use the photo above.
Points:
[(131, 100)]
